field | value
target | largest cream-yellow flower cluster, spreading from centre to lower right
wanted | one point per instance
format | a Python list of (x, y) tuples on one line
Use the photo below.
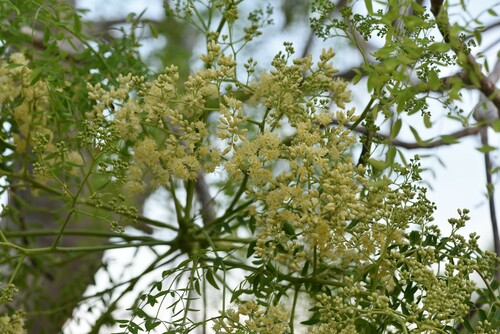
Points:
[(321, 217)]
